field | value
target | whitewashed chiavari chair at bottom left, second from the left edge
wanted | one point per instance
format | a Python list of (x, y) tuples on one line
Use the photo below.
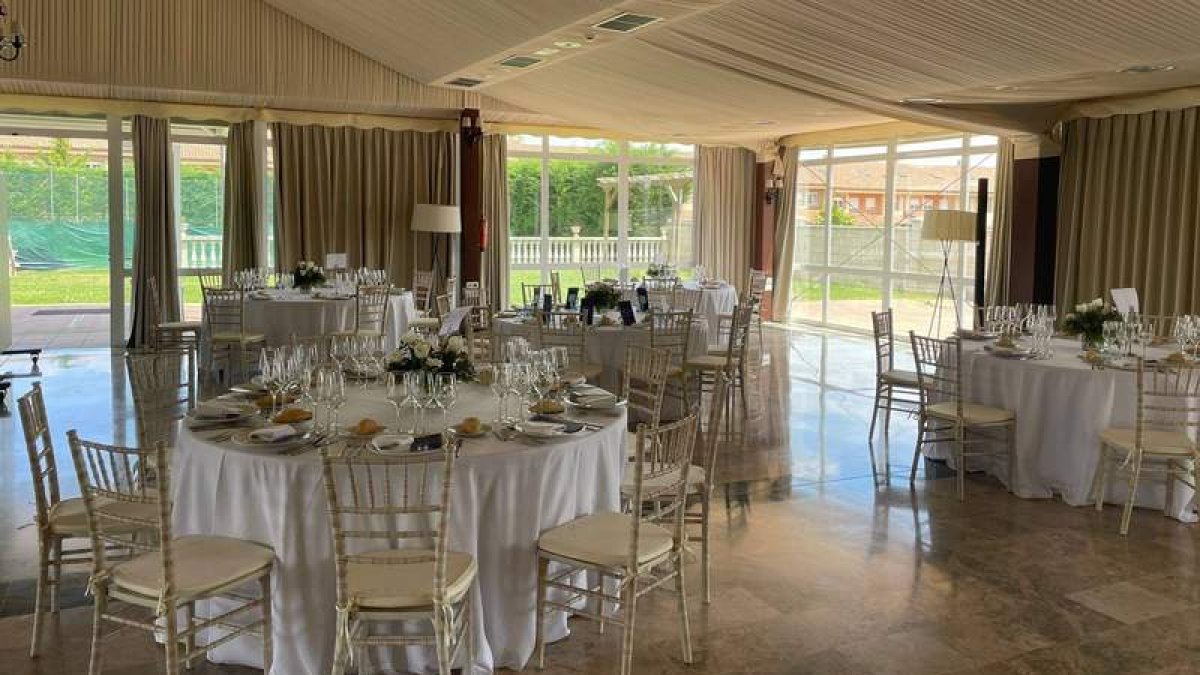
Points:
[(171, 574)]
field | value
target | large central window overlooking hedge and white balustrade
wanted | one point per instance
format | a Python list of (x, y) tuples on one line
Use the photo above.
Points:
[(587, 207)]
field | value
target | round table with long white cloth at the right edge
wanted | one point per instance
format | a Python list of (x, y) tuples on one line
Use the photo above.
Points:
[(1061, 407)]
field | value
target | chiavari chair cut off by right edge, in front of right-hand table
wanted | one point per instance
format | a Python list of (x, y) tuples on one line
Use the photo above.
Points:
[(1162, 444)]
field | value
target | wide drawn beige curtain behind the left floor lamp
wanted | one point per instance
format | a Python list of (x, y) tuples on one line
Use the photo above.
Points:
[(352, 190)]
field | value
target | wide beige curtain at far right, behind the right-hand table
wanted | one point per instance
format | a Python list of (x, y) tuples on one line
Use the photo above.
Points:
[(1130, 211)]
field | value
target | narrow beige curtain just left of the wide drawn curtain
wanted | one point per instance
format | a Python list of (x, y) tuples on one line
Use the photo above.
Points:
[(243, 208)]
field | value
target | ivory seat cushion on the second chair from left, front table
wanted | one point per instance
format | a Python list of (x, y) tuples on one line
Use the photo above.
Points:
[(202, 564)]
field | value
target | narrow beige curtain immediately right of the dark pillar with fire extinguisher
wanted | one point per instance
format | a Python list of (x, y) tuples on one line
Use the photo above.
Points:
[(496, 210)]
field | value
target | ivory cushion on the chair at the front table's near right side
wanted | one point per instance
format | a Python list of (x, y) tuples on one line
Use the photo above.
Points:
[(603, 540)]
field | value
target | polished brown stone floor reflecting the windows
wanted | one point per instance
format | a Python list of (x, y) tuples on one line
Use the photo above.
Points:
[(819, 571)]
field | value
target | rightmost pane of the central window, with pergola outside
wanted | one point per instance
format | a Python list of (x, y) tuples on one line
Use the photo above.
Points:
[(661, 218)]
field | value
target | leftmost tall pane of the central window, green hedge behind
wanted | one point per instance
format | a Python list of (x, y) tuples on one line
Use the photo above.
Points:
[(525, 230)]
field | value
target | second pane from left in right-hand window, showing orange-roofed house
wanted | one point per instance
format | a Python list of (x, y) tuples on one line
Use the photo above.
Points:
[(857, 216)]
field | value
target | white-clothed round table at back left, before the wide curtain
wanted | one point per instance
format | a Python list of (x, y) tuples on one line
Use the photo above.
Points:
[(281, 314)]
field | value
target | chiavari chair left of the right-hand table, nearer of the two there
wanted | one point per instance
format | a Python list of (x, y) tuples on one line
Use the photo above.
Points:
[(946, 417)]
